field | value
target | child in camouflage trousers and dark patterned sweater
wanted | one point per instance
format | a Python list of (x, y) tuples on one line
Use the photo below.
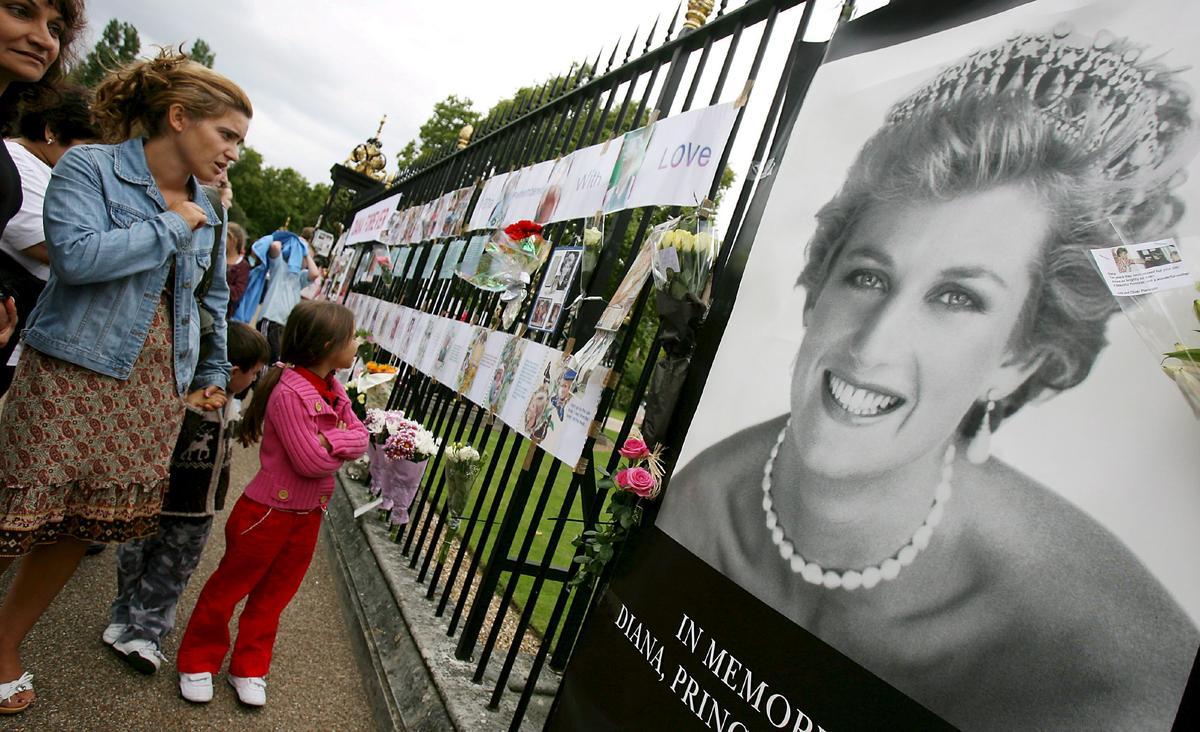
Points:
[(153, 573)]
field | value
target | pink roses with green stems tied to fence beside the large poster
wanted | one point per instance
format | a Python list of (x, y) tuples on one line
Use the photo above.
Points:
[(638, 482)]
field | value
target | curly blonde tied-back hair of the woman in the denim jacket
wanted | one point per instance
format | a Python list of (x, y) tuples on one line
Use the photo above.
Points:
[(134, 100)]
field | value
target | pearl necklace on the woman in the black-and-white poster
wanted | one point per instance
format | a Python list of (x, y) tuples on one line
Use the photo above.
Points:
[(867, 578)]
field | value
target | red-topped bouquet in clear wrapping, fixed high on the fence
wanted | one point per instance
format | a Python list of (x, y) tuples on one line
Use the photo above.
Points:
[(511, 259)]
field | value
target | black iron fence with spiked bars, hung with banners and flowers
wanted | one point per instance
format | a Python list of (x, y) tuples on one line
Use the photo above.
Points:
[(505, 589)]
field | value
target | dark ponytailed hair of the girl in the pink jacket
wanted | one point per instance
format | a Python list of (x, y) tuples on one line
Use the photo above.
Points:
[(315, 329)]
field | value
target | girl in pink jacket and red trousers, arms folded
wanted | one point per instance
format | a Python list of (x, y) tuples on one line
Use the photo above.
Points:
[(308, 430)]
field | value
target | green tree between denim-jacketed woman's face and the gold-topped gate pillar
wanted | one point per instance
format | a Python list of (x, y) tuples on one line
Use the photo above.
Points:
[(267, 197)]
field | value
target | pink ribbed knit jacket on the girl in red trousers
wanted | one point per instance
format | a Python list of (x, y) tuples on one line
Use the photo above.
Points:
[(297, 471)]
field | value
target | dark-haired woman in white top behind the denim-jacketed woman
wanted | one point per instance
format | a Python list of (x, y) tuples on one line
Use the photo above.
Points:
[(46, 134)]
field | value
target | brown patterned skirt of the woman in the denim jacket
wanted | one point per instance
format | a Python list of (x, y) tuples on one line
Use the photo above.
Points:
[(86, 455)]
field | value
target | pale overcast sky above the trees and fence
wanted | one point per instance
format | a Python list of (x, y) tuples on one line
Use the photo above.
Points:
[(321, 74)]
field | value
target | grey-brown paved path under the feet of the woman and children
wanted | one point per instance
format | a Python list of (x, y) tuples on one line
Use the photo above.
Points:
[(315, 682)]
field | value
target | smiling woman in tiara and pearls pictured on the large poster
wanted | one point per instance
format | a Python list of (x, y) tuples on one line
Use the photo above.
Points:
[(949, 286)]
